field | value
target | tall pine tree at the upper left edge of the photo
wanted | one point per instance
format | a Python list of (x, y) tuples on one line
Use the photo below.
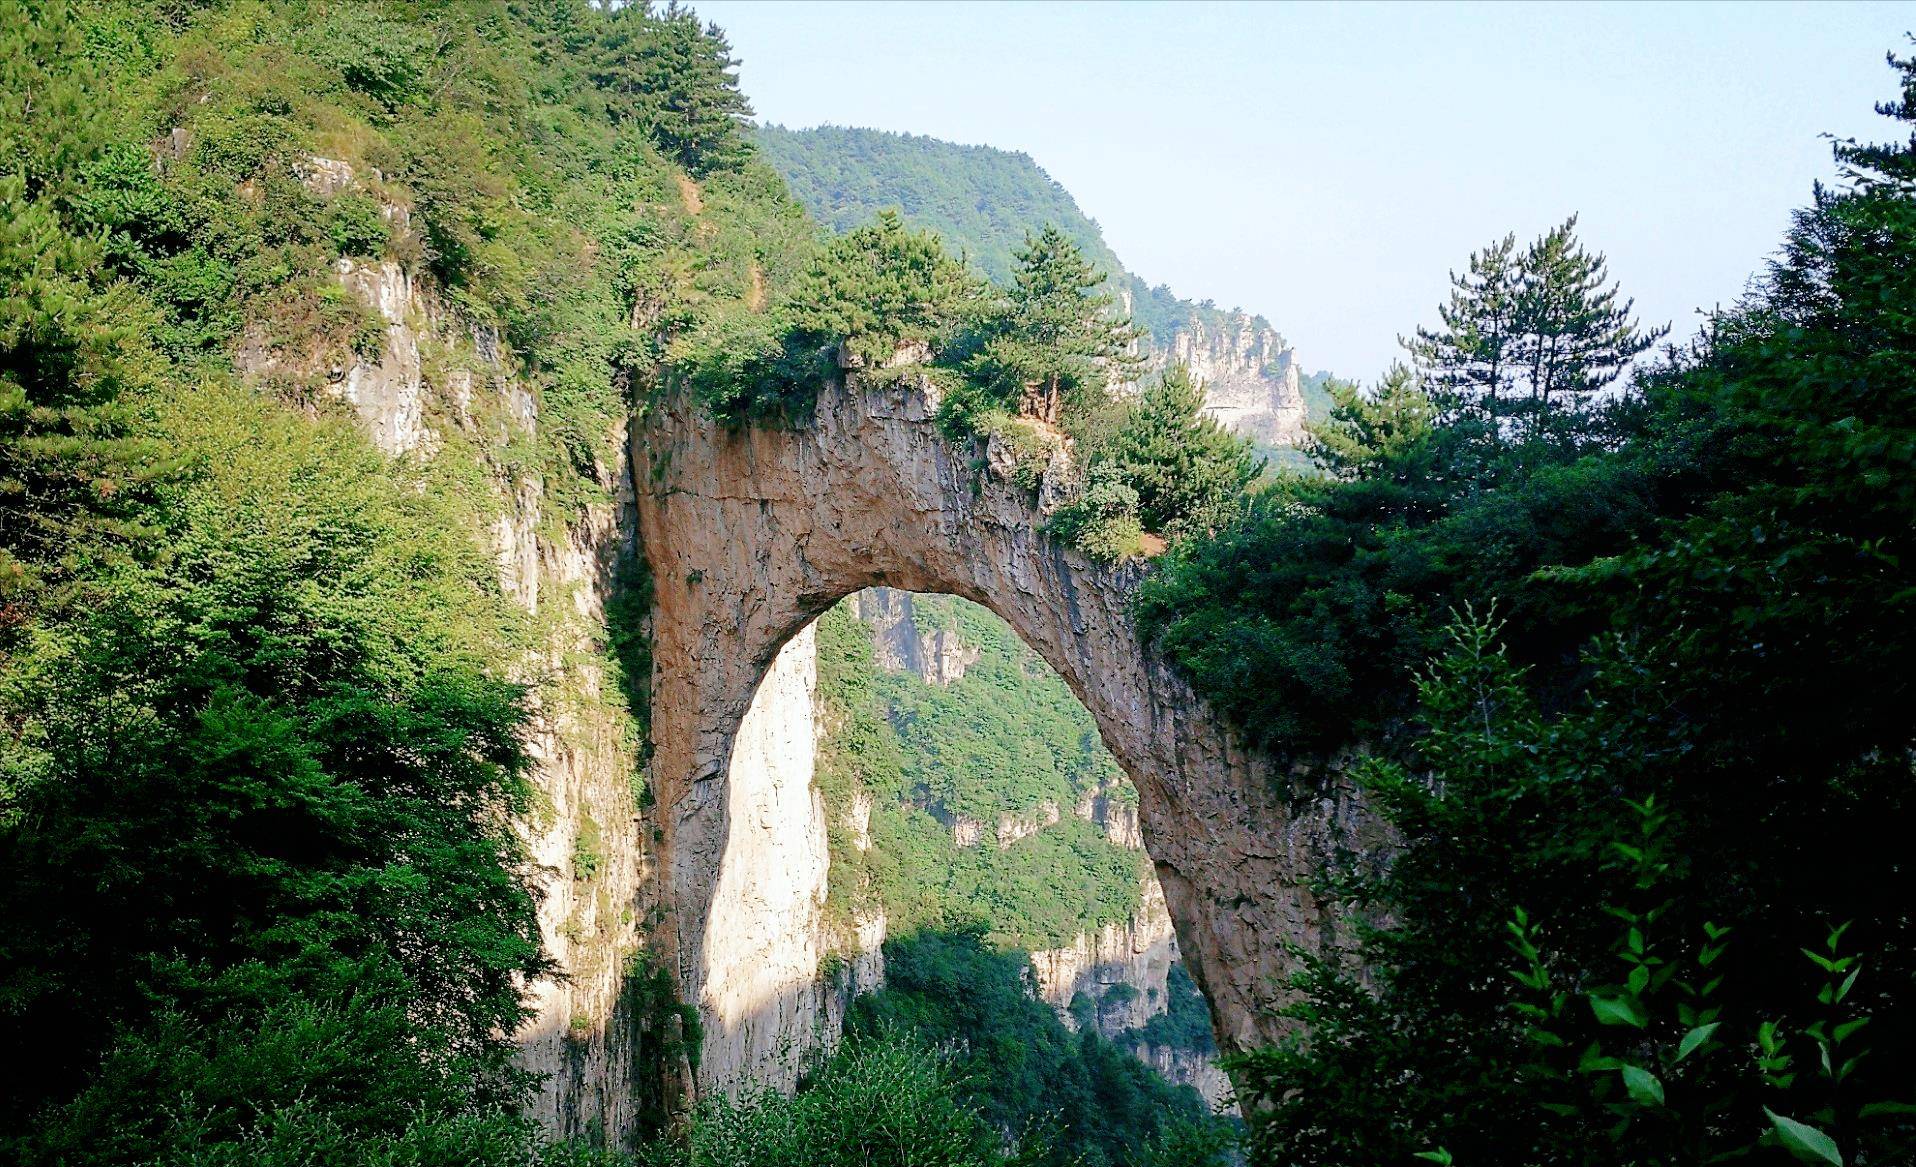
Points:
[(74, 344)]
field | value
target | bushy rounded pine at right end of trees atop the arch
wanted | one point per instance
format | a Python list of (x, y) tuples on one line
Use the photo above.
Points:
[(1183, 465)]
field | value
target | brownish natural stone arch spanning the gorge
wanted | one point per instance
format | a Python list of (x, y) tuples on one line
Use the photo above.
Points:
[(754, 534)]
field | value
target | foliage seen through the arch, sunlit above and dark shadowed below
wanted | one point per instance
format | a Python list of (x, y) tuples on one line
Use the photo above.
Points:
[(1003, 741)]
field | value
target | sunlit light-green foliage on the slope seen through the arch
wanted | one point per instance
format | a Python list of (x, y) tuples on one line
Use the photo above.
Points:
[(1005, 741)]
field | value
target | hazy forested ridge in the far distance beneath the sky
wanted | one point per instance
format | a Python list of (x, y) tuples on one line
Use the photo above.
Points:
[(978, 200)]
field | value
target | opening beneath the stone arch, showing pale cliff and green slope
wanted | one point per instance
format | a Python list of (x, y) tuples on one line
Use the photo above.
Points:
[(796, 930)]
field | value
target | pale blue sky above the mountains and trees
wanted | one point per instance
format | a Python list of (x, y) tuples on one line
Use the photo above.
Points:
[(1327, 166)]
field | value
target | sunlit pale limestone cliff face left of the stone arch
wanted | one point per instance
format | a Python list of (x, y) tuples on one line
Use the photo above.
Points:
[(593, 875)]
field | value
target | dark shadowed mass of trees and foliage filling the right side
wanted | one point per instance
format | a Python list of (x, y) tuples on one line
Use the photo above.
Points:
[(1651, 904)]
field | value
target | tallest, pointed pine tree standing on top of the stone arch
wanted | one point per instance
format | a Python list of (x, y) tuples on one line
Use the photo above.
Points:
[(1057, 334)]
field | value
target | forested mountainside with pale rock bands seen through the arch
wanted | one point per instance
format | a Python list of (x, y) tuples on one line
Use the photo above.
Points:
[(969, 789)]
